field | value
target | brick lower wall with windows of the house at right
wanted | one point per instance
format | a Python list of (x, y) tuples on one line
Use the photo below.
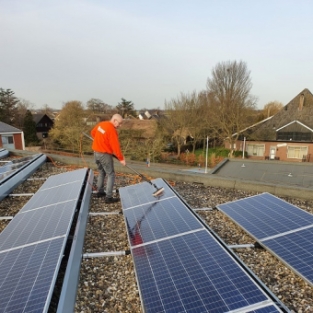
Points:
[(273, 150)]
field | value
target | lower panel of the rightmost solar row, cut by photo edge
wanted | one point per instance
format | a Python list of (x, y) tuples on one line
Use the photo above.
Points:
[(296, 249)]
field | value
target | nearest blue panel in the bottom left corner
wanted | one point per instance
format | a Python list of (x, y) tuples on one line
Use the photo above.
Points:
[(26, 275)]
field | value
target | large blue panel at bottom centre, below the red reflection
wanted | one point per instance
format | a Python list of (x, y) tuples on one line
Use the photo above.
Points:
[(192, 273)]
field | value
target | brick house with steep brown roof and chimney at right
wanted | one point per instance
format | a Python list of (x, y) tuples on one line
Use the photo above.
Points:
[(286, 136)]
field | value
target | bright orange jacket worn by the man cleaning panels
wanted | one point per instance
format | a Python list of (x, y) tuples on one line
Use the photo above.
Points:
[(105, 139)]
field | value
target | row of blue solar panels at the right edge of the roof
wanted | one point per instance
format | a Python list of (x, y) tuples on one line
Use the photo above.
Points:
[(281, 227)]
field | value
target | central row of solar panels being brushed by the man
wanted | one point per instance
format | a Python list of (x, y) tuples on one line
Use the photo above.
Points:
[(180, 266)]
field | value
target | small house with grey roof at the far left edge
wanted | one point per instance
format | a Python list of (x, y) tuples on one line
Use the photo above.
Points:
[(11, 137)]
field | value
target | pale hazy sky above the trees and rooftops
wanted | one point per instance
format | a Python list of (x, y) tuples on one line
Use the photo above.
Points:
[(149, 52)]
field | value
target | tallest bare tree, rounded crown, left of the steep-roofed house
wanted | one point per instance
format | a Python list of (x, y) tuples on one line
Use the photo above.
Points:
[(230, 100)]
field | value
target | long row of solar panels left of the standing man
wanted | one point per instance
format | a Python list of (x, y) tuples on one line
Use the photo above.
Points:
[(32, 245)]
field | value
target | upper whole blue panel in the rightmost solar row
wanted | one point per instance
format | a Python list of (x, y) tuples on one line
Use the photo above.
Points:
[(265, 215)]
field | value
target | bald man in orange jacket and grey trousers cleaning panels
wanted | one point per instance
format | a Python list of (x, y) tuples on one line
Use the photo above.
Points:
[(105, 145)]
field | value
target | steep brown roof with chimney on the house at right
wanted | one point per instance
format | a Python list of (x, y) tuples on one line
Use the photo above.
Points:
[(299, 109)]
